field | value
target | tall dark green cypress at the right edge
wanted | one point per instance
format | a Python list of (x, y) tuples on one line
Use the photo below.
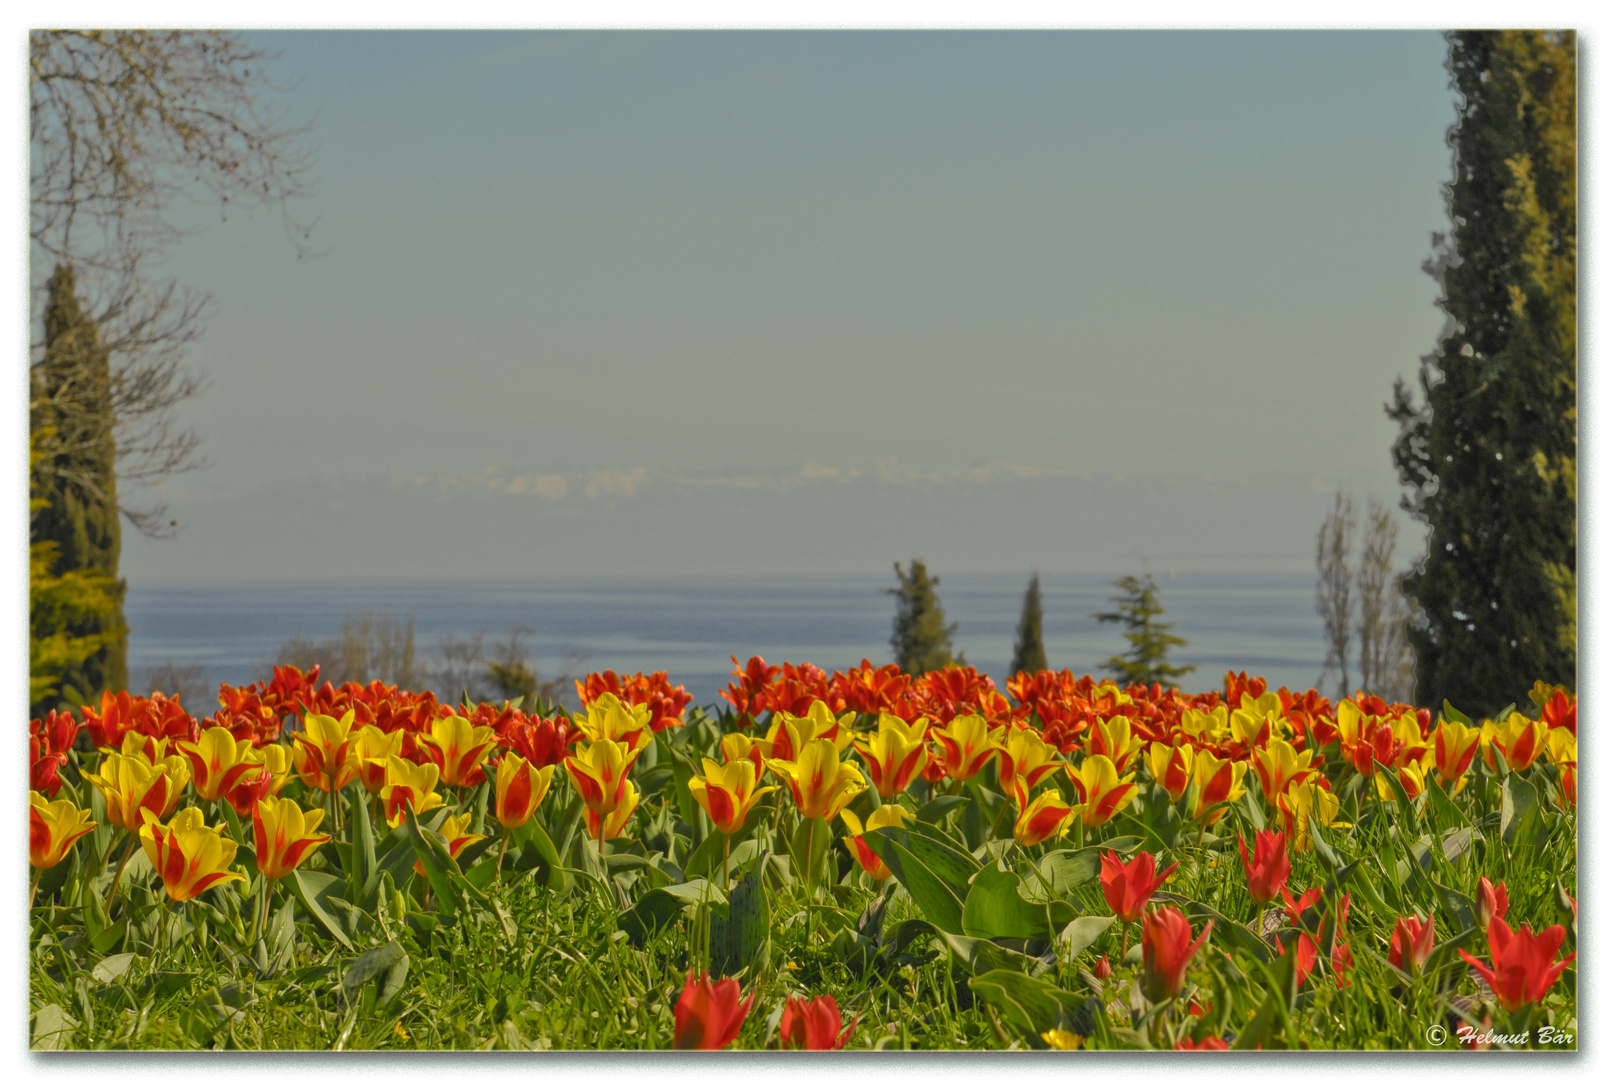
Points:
[(1488, 459)]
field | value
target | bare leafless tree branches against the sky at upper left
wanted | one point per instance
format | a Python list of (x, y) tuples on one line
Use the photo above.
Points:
[(126, 128)]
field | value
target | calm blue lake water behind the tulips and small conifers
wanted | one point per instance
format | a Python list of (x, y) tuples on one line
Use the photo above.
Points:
[(690, 628)]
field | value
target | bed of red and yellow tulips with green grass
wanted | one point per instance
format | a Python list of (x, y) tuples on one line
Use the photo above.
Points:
[(857, 859)]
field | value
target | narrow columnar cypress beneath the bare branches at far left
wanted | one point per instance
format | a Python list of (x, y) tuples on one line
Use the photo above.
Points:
[(79, 486)]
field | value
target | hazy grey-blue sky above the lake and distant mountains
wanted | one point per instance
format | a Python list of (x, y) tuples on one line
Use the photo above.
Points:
[(595, 303)]
